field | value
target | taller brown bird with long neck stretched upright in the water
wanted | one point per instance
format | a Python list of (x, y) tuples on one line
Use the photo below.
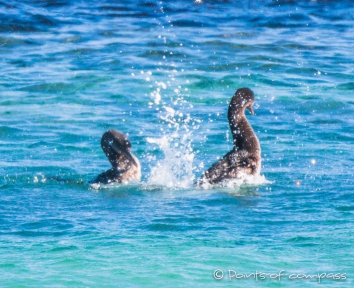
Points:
[(245, 157)]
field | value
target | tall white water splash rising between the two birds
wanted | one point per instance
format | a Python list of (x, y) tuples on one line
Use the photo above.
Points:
[(176, 168)]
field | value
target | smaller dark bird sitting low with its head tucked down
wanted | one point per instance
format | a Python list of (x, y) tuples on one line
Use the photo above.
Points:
[(125, 166)]
